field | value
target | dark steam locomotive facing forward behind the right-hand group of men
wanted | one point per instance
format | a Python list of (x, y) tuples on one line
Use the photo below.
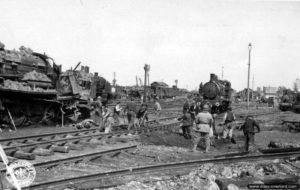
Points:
[(217, 92)]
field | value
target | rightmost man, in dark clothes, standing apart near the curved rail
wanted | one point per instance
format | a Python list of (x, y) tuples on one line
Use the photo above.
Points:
[(249, 132)]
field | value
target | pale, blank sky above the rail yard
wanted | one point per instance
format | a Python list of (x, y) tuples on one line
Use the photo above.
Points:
[(180, 39)]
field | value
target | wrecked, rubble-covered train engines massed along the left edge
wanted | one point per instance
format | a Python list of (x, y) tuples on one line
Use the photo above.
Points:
[(33, 88)]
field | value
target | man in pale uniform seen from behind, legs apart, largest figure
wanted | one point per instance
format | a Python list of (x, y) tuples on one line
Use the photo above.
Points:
[(204, 121)]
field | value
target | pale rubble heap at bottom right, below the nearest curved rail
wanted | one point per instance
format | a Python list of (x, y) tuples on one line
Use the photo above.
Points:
[(209, 176)]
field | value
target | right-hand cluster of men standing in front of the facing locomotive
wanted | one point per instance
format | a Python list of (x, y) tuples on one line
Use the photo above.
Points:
[(198, 123)]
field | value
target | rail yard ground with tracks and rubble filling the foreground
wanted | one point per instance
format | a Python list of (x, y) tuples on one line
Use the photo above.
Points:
[(157, 156)]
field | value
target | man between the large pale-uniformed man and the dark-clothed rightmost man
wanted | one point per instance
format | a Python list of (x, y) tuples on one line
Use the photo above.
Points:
[(228, 125)]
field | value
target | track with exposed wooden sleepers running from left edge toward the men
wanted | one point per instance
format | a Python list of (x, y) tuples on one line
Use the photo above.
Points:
[(29, 146)]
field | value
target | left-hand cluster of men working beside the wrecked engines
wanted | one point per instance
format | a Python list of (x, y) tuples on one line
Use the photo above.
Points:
[(106, 118)]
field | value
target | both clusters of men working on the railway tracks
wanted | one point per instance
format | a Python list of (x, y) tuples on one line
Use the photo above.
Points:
[(197, 121)]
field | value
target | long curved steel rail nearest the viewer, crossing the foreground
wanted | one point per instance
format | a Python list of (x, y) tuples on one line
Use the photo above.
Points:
[(151, 168)]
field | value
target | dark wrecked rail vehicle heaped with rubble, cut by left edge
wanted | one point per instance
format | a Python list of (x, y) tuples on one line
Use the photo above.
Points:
[(27, 84)]
